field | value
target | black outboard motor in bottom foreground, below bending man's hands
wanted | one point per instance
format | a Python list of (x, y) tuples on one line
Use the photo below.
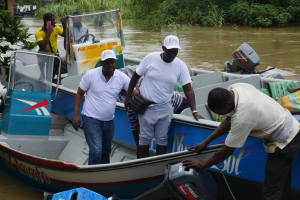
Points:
[(182, 184)]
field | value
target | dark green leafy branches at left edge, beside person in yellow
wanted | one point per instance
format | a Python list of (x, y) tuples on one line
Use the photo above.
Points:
[(12, 32)]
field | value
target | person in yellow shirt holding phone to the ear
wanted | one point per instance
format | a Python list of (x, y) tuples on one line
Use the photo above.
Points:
[(46, 38)]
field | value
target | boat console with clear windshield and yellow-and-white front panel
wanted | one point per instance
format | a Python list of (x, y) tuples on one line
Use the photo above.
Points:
[(89, 35)]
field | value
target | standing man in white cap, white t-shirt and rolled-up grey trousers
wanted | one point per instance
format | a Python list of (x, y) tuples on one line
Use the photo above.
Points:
[(161, 71)]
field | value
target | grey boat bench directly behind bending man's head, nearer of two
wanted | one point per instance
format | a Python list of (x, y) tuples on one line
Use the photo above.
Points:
[(201, 94)]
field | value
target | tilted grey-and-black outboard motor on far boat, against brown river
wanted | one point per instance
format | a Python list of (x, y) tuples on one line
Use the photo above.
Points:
[(245, 60)]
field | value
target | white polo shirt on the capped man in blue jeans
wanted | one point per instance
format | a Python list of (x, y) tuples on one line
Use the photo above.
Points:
[(101, 96)]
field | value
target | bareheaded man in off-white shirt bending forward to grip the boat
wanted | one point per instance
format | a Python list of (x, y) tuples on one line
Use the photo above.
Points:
[(250, 112)]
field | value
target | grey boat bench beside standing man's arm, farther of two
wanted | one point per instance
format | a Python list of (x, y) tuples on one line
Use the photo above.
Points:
[(207, 79)]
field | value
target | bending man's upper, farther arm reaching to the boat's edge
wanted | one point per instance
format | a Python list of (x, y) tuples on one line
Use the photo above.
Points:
[(221, 130)]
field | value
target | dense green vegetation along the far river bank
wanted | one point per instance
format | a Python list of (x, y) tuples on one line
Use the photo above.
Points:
[(157, 13)]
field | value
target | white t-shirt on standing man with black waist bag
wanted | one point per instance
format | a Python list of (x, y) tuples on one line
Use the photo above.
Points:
[(160, 77)]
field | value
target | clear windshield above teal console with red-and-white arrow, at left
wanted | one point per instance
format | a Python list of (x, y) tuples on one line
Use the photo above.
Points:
[(31, 72)]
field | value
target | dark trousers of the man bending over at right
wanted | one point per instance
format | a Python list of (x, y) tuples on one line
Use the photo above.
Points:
[(278, 171)]
